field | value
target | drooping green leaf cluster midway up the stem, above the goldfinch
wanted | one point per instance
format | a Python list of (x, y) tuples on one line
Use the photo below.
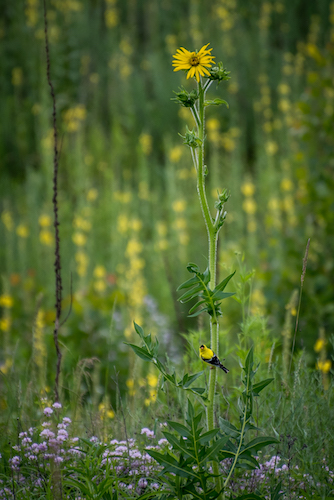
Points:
[(200, 289)]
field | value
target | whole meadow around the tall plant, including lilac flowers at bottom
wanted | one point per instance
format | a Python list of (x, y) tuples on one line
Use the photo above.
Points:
[(130, 224)]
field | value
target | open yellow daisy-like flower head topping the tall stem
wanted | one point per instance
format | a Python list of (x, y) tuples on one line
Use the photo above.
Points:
[(195, 62)]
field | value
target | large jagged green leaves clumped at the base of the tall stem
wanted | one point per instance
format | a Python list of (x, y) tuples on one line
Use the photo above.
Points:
[(193, 450)]
